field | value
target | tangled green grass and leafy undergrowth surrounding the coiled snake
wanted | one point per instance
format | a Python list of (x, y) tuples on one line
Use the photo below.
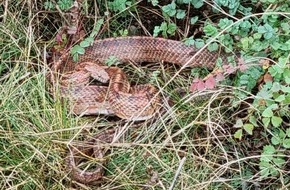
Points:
[(235, 136)]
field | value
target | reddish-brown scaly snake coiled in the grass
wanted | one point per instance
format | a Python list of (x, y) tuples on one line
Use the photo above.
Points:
[(130, 103)]
